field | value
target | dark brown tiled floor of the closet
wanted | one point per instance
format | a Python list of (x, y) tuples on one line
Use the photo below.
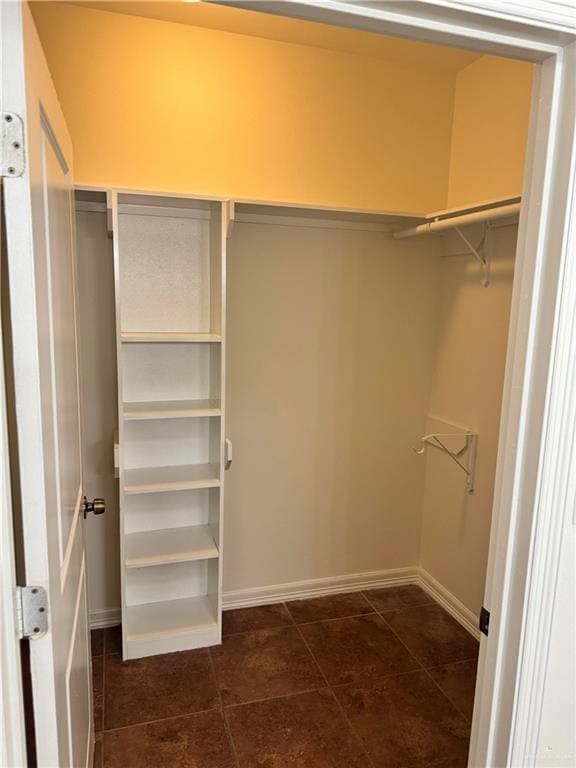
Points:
[(377, 679)]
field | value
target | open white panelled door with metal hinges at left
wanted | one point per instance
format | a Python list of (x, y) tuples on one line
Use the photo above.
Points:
[(41, 263)]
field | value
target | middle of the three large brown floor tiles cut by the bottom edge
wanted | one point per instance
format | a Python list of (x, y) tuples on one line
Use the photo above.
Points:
[(307, 730)]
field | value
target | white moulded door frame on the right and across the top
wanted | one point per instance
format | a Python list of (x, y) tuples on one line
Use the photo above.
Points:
[(534, 492)]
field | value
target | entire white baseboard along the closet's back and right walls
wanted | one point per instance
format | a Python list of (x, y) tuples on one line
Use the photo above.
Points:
[(332, 585)]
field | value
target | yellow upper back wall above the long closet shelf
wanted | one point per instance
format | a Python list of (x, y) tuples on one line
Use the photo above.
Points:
[(165, 106)]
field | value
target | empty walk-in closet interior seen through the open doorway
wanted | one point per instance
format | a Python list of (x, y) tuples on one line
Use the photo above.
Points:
[(295, 260)]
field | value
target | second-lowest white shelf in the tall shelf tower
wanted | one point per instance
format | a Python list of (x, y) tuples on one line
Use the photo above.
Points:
[(171, 545)]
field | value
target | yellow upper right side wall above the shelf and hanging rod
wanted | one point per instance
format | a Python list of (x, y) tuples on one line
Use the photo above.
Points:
[(491, 111)]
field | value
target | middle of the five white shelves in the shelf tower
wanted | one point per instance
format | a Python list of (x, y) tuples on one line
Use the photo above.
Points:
[(175, 478)]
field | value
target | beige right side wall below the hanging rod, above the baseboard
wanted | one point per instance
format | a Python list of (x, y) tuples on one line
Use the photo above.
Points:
[(467, 390)]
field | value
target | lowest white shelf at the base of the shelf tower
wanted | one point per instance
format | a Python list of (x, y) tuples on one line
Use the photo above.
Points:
[(170, 617)]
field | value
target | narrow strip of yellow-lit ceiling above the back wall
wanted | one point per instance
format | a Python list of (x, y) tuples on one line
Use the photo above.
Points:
[(226, 19)]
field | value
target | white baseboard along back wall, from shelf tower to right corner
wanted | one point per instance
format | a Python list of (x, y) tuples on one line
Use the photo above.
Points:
[(299, 590)]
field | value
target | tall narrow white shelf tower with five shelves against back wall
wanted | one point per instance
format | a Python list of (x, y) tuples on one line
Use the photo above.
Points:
[(170, 262)]
